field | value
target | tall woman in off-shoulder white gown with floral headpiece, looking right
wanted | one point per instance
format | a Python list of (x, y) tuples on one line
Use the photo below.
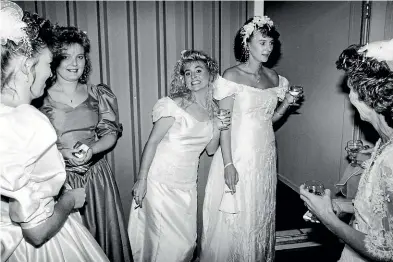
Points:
[(245, 165)]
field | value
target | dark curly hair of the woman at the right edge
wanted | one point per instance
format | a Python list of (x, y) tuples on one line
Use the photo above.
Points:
[(371, 79)]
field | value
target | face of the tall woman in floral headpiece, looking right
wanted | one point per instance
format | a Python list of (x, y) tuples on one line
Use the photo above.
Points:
[(260, 47)]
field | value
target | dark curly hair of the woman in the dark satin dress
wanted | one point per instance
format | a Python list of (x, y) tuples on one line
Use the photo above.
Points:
[(67, 36)]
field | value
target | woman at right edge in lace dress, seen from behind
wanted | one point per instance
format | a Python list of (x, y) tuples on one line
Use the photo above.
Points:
[(370, 235)]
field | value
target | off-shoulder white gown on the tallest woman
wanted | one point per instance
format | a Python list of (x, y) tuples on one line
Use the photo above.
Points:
[(249, 234)]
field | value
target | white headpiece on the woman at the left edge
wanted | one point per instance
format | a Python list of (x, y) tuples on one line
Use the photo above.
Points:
[(12, 27)]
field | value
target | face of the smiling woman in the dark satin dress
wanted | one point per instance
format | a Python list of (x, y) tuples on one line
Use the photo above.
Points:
[(73, 63)]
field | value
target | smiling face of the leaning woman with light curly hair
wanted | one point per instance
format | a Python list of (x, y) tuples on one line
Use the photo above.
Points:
[(196, 76)]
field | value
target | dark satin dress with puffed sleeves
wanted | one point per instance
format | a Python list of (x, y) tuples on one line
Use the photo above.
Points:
[(94, 118)]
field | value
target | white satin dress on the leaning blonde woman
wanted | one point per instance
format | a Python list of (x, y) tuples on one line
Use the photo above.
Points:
[(165, 228)]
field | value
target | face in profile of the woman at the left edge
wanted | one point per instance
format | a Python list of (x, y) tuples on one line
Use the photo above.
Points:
[(40, 73)]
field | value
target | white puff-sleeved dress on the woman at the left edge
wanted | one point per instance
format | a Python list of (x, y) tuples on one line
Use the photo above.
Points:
[(32, 174)]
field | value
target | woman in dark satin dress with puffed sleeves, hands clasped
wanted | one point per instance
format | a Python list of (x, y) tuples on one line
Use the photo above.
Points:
[(86, 120)]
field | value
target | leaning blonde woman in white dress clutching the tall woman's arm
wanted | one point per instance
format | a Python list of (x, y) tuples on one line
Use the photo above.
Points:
[(162, 224)]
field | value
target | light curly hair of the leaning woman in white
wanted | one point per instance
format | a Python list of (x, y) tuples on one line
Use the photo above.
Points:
[(178, 85)]
